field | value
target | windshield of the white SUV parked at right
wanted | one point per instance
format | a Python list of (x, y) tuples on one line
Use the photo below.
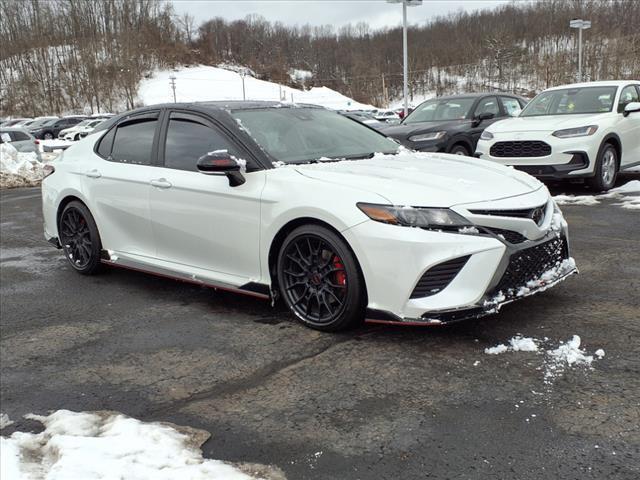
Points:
[(571, 101)]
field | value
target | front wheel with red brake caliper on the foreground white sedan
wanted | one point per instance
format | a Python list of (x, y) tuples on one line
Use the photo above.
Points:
[(320, 280)]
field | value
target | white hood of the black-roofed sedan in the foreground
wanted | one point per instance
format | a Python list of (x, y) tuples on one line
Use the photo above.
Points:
[(425, 179)]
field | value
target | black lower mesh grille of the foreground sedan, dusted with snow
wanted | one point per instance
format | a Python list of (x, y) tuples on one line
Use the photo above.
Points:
[(530, 264)]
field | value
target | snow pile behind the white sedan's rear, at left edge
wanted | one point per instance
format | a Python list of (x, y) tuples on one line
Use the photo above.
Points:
[(18, 169)]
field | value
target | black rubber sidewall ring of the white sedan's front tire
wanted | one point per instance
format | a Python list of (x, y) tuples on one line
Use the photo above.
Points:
[(353, 312)]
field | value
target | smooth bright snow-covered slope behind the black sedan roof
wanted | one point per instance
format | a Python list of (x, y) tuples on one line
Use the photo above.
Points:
[(203, 83)]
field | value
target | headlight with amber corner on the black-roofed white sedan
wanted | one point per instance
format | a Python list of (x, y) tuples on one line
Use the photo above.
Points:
[(413, 216)]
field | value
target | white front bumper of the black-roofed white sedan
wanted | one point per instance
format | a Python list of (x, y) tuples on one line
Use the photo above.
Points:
[(394, 260)]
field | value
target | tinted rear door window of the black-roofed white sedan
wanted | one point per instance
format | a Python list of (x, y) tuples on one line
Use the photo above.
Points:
[(133, 141)]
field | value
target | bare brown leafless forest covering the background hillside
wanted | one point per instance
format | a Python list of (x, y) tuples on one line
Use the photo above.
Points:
[(66, 55)]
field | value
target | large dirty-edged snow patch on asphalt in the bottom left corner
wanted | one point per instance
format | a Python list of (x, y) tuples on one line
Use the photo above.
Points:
[(102, 445)]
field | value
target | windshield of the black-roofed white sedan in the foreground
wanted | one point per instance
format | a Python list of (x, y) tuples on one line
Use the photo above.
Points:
[(302, 135)]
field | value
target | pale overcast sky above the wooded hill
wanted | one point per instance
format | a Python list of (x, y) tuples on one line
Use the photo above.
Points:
[(377, 13)]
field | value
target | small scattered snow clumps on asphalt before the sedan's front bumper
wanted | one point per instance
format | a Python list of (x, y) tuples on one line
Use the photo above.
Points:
[(555, 360)]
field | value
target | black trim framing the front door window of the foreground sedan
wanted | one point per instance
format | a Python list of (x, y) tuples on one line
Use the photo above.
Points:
[(253, 165)]
